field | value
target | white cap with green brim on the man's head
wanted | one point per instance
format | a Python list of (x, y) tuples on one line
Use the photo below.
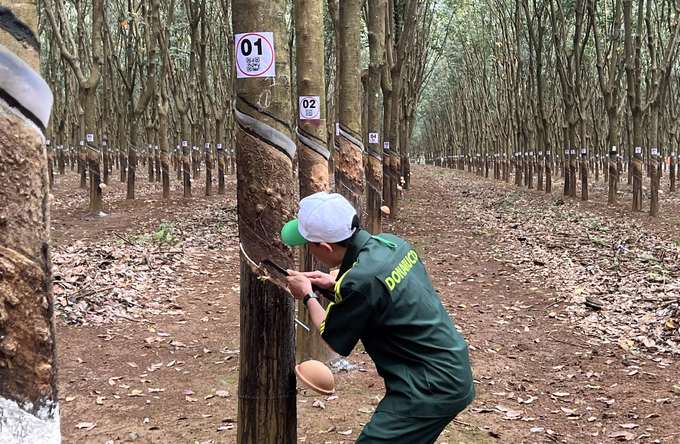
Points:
[(323, 217)]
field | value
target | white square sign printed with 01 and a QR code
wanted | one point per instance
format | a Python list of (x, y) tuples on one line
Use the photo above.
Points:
[(255, 55)]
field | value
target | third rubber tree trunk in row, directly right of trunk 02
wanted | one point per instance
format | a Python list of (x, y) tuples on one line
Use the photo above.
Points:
[(349, 162)]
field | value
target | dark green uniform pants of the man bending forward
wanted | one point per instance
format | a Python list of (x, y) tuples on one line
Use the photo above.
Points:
[(386, 427)]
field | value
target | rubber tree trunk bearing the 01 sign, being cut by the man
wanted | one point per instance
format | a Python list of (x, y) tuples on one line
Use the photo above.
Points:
[(264, 149)]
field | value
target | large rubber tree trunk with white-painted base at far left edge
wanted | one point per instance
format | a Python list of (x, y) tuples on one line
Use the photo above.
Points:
[(29, 410)]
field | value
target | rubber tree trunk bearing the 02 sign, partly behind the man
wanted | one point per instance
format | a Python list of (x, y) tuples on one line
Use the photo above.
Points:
[(313, 155)]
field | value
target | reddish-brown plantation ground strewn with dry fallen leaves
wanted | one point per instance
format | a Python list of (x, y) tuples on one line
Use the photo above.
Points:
[(570, 309)]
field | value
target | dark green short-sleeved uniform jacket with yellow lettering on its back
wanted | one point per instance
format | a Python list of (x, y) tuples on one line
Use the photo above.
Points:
[(384, 298)]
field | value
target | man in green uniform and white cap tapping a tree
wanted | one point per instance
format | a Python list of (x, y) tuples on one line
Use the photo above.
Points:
[(383, 297)]
